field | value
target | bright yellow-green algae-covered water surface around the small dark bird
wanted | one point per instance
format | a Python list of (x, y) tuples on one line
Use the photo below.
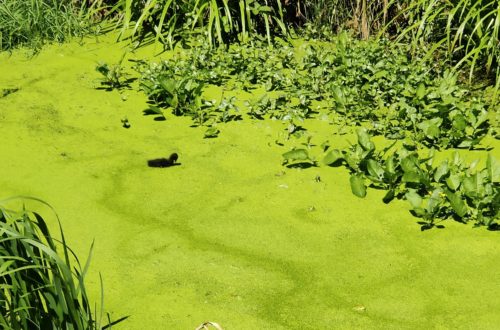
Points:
[(230, 235)]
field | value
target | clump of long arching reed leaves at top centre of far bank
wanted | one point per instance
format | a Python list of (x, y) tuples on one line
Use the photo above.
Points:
[(221, 21)]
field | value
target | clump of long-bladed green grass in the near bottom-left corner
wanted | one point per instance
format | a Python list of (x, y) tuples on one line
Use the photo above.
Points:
[(39, 287)]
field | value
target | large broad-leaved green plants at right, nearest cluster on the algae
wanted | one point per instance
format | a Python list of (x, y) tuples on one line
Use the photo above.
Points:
[(451, 189)]
